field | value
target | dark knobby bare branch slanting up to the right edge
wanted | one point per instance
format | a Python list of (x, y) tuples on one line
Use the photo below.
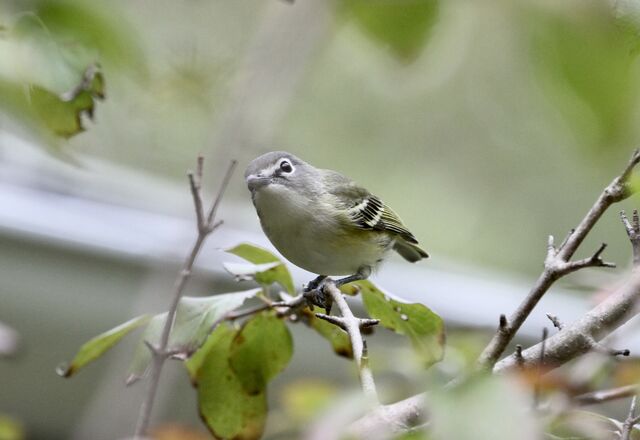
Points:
[(558, 262)]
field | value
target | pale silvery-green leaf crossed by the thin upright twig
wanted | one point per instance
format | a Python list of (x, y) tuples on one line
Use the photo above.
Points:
[(195, 316)]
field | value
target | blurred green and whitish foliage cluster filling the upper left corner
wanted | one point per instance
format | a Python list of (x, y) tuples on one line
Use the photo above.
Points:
[(53, 79)]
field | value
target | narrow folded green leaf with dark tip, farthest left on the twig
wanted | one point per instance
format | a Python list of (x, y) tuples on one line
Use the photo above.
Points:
[(97, 346)]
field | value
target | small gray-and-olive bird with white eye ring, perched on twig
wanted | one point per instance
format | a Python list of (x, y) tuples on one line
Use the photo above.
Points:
[(324, 222)]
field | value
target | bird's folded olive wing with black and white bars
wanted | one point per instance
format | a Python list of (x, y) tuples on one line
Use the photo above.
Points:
[(363, 209)]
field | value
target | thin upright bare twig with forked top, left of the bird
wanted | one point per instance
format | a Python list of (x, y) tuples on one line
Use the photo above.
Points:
[(205, 227)]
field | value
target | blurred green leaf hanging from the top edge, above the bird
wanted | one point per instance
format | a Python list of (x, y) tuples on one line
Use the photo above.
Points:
[(401, 25)]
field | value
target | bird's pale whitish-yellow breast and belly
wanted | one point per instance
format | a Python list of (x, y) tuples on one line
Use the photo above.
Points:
[(315, 241)]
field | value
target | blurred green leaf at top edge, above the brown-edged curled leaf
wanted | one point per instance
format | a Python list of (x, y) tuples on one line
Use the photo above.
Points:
[(91, 31)]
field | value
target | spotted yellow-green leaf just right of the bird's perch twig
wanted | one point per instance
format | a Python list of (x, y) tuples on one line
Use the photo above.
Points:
[(424, 328)]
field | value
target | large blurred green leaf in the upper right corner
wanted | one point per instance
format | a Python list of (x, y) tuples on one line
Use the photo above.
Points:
[(586, 65)]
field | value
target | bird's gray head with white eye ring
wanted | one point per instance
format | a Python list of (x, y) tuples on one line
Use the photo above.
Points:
[(280, 168)]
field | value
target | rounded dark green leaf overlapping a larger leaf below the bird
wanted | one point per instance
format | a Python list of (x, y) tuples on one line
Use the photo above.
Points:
[(260, 351)]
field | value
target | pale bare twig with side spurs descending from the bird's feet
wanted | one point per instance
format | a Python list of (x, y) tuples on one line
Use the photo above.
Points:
[(352, 325)]
